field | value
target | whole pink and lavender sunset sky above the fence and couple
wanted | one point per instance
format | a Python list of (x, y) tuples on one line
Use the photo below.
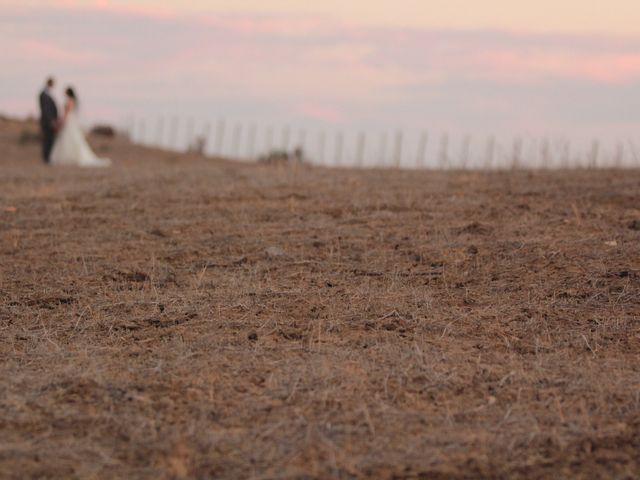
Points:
[(510, 67)]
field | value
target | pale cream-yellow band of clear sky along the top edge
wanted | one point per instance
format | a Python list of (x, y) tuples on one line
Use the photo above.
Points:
[(568, 16)]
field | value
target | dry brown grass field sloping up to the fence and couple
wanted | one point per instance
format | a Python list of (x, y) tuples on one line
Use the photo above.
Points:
[(177, 317)]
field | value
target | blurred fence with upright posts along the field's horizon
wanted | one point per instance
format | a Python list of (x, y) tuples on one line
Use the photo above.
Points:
[(397, 148)]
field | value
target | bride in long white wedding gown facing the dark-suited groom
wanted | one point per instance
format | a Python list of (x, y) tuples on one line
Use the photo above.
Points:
[(71, 147)]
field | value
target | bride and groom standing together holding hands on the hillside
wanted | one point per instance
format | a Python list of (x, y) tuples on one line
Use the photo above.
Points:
[(63, 142)]
